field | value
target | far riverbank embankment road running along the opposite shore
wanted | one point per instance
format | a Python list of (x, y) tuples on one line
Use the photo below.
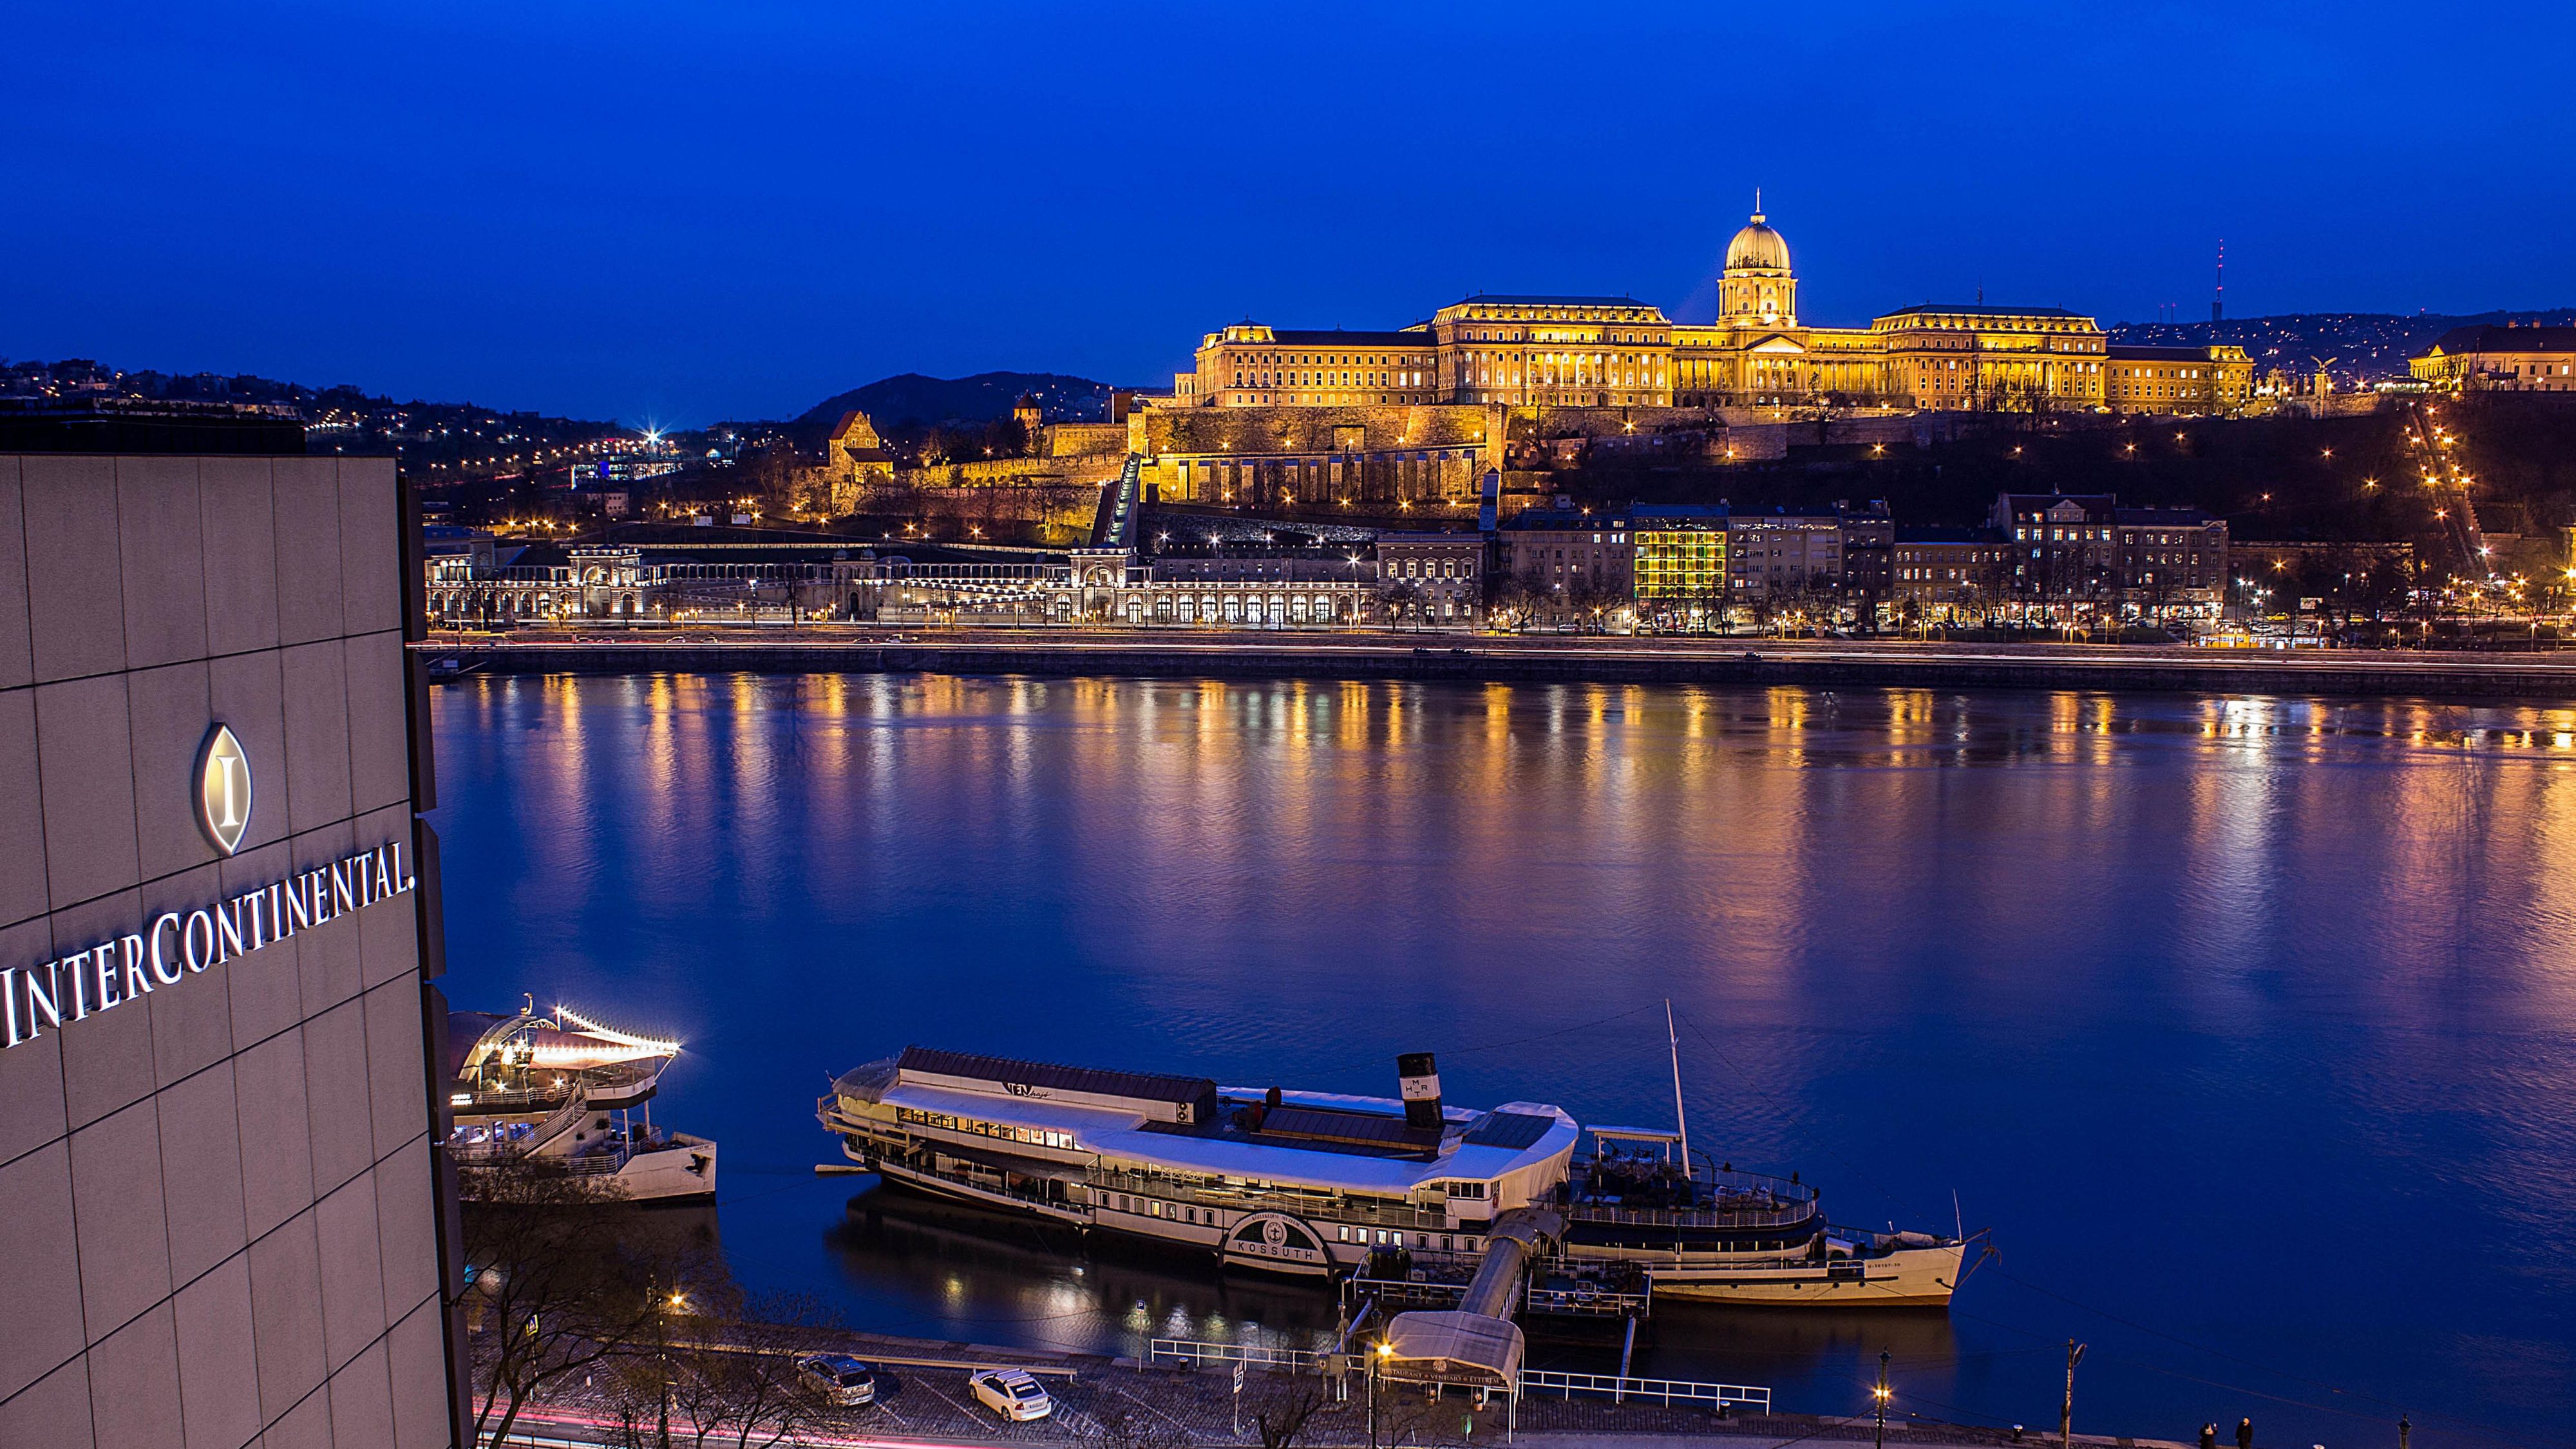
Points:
[(1524, 659)]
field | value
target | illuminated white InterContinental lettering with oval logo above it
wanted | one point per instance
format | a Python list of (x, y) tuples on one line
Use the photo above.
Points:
[(179, 945)]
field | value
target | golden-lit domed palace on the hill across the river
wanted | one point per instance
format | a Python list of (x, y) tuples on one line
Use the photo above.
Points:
[(1619, 352)]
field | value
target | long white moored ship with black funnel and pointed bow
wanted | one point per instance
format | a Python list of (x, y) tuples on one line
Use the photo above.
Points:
[(1305, 1182)]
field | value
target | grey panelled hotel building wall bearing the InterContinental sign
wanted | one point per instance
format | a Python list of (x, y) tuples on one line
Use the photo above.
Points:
[(218, 1200)]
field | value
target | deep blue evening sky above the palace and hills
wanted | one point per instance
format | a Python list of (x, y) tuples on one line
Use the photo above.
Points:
[(741, 208)]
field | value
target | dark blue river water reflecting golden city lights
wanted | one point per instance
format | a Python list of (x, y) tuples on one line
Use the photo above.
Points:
[(2245, 1025)]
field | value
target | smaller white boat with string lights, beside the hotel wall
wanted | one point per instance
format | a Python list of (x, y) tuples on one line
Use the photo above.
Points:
[(563, 1092)]
